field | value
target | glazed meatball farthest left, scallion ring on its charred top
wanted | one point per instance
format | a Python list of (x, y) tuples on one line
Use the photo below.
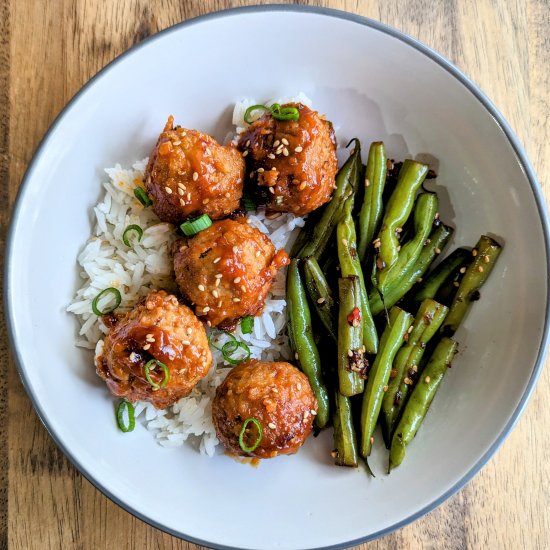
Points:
[(160, 328)]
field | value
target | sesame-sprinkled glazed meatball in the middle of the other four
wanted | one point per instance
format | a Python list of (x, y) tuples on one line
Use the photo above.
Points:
[(226, 270)]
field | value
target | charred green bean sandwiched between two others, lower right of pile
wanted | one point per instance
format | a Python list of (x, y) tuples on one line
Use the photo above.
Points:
[(429, 318)]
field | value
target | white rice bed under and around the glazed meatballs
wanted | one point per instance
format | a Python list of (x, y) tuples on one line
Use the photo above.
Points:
[(106, 261)]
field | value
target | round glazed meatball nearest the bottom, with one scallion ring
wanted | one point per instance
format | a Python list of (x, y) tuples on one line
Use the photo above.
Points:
[(277, 395)]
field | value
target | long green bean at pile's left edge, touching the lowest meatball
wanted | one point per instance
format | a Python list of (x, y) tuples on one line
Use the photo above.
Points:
[(301, 337)]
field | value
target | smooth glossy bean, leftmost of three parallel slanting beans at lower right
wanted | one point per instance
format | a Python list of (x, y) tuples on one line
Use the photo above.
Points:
[(391, 341)]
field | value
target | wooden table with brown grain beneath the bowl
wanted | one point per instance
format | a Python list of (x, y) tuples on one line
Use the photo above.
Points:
[(49, 49)]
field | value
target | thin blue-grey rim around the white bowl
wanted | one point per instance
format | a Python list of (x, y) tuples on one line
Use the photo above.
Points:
[(378, 26)]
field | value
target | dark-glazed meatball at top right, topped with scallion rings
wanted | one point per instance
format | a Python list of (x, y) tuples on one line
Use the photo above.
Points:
[(292, 163)]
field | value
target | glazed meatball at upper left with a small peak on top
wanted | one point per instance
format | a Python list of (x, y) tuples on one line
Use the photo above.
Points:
[(190, 173)]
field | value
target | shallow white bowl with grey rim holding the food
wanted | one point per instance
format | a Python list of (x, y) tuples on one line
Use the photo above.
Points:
[(374, 83)]
